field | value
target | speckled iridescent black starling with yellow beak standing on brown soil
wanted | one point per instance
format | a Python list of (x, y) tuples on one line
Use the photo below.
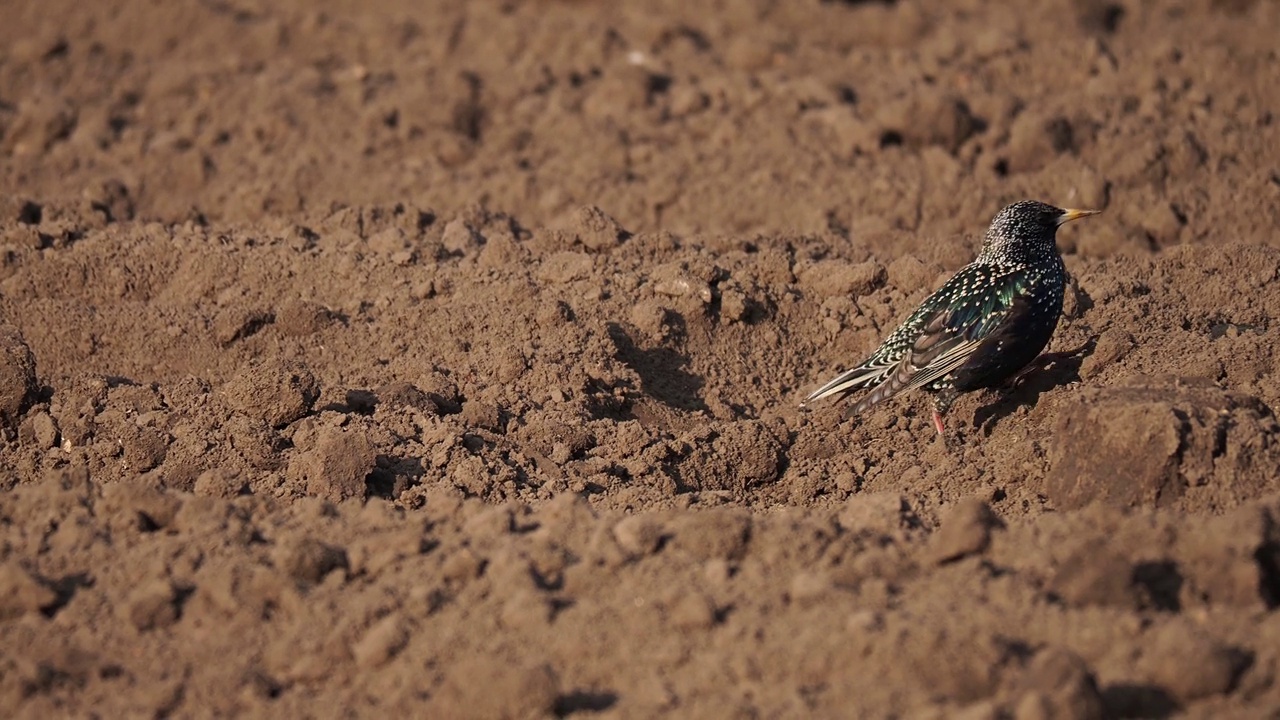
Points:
[(989, 322)]
